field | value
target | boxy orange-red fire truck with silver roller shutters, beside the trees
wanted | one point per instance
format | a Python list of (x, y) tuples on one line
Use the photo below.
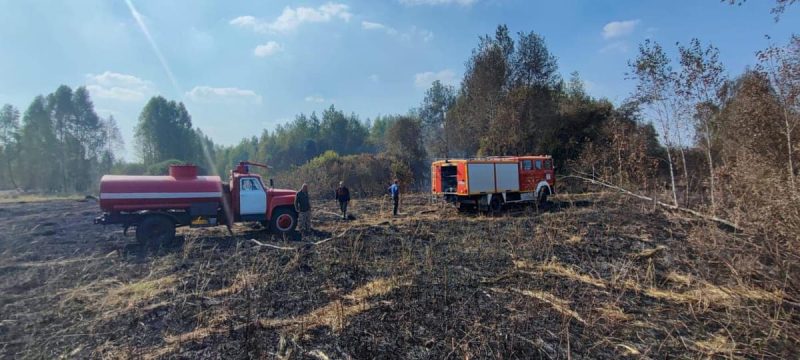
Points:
[(489, 183)]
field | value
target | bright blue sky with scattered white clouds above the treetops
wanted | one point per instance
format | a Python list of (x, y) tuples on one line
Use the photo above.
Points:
[(242, 66)]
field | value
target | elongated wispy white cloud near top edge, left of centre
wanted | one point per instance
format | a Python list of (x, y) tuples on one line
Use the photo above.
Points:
[(291, 18)]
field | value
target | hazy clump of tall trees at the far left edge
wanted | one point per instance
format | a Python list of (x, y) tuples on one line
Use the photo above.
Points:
[(59, 144)]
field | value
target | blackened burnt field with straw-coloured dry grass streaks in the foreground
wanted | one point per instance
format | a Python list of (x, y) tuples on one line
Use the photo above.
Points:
[(591, 276)]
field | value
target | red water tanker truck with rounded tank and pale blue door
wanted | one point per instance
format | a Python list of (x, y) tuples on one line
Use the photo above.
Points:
[(156, 205)]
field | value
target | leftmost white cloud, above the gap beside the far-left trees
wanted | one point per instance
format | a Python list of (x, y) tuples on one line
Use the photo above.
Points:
[(116, 86)]
